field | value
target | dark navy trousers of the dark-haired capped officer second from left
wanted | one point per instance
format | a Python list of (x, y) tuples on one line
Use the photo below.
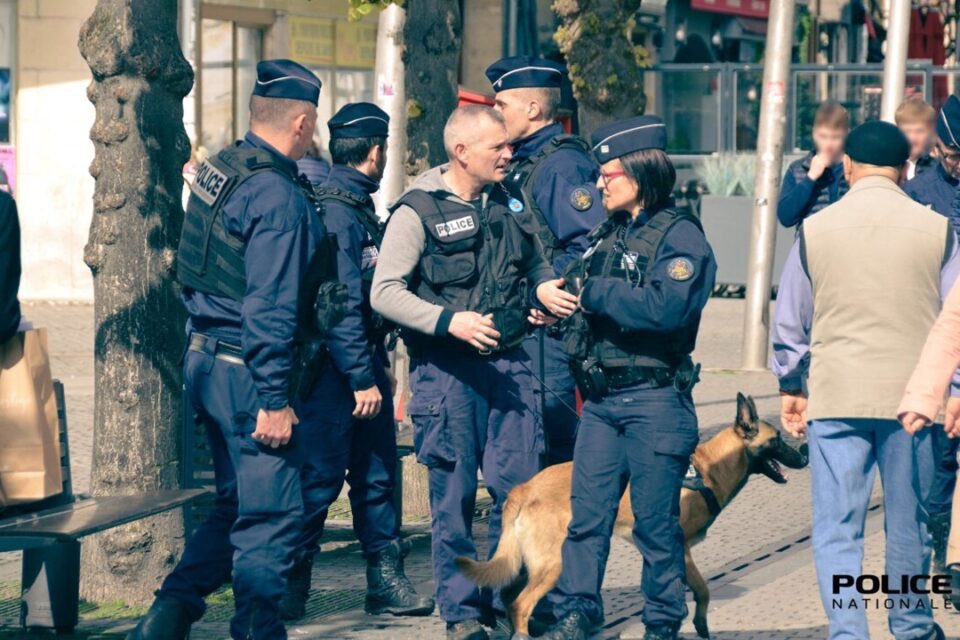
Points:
[(338, 447)]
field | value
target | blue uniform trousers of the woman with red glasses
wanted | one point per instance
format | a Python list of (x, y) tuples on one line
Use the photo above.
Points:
[(646, 436)]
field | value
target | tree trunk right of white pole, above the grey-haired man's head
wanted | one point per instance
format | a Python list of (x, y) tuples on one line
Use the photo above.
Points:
[(432, 39)]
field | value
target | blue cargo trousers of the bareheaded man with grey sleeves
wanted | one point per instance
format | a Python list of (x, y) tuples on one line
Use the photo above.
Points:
[(470, 412)]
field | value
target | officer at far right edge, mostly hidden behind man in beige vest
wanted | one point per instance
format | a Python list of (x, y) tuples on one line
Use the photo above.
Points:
[(938, 190)]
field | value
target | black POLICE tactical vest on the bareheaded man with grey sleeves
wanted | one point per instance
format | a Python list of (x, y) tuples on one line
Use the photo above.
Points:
[(472, 262)]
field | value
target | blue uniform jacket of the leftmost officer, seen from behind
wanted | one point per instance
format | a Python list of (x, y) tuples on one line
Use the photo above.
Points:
[(275, 218)]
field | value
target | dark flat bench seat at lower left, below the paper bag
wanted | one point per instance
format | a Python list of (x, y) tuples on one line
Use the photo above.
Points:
[(91, 515)]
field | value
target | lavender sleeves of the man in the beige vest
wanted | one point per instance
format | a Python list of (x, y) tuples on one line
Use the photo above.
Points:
[(793, 318)]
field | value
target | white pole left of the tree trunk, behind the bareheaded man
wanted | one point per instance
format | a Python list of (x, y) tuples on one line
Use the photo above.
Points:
[(390, 96)]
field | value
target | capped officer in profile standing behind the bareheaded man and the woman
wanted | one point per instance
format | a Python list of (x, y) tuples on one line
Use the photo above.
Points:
[(554, 177)]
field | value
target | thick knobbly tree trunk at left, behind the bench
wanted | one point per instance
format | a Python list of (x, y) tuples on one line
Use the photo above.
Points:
[(139, 80)]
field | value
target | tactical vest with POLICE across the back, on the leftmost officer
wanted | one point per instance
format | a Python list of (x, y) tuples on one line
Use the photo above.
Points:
[(209, 259)]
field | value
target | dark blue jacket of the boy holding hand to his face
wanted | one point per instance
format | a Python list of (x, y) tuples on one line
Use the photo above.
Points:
[(801, 197)]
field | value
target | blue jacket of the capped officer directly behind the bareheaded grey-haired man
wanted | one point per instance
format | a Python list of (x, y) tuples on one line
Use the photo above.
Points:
[(563, 172)]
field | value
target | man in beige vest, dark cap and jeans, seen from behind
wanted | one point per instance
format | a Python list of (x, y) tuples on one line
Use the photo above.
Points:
[(859, 293)]
